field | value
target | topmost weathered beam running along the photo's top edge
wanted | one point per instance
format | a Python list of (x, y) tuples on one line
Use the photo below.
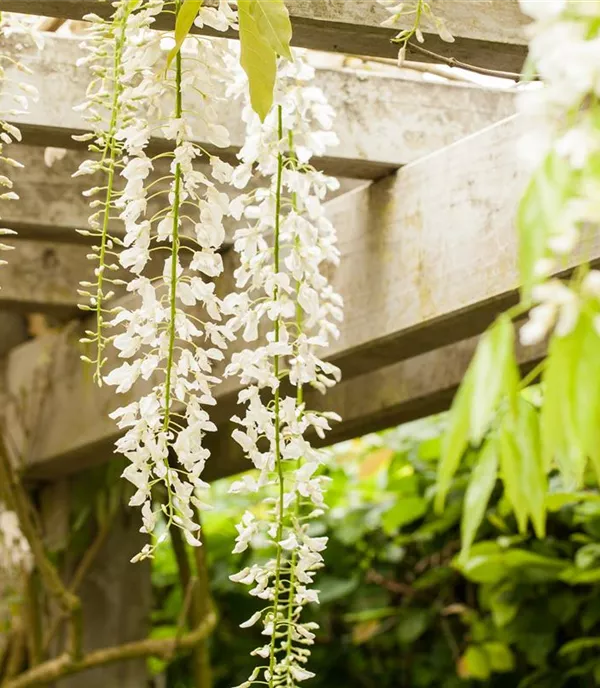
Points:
[(488, 34)]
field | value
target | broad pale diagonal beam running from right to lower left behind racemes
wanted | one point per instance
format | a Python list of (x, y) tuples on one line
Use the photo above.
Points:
[(428, 259)]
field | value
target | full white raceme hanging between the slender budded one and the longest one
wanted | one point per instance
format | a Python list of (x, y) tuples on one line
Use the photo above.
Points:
[(172, 335)]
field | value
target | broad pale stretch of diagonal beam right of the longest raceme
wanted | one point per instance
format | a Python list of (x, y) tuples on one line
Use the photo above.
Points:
[(429, 255)]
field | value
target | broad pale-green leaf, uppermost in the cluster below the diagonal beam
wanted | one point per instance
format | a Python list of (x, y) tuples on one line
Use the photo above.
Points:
[(494, 375)]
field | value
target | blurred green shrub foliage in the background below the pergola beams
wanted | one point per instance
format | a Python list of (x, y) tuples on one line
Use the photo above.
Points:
[(400, 606)]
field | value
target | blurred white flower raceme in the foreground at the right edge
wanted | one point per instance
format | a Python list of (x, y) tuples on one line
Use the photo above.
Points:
[(560, 210)]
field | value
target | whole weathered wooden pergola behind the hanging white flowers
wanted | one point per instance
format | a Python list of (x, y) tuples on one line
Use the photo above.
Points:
[(429, 251)]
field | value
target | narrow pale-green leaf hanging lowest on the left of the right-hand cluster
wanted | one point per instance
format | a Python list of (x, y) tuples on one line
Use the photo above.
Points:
[(478, 494)]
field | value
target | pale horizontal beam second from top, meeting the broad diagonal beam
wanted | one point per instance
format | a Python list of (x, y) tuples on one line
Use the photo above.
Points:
[(383, 122)]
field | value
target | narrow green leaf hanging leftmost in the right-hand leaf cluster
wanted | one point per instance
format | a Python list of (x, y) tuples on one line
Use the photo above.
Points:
[(456, 439)]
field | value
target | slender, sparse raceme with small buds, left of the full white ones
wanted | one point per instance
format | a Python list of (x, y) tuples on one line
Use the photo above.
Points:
[(110, 108)]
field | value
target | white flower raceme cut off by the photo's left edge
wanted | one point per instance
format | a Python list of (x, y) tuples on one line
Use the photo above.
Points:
[(16, 93)]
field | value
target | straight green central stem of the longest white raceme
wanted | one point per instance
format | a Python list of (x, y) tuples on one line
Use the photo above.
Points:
[(277, 400)]
